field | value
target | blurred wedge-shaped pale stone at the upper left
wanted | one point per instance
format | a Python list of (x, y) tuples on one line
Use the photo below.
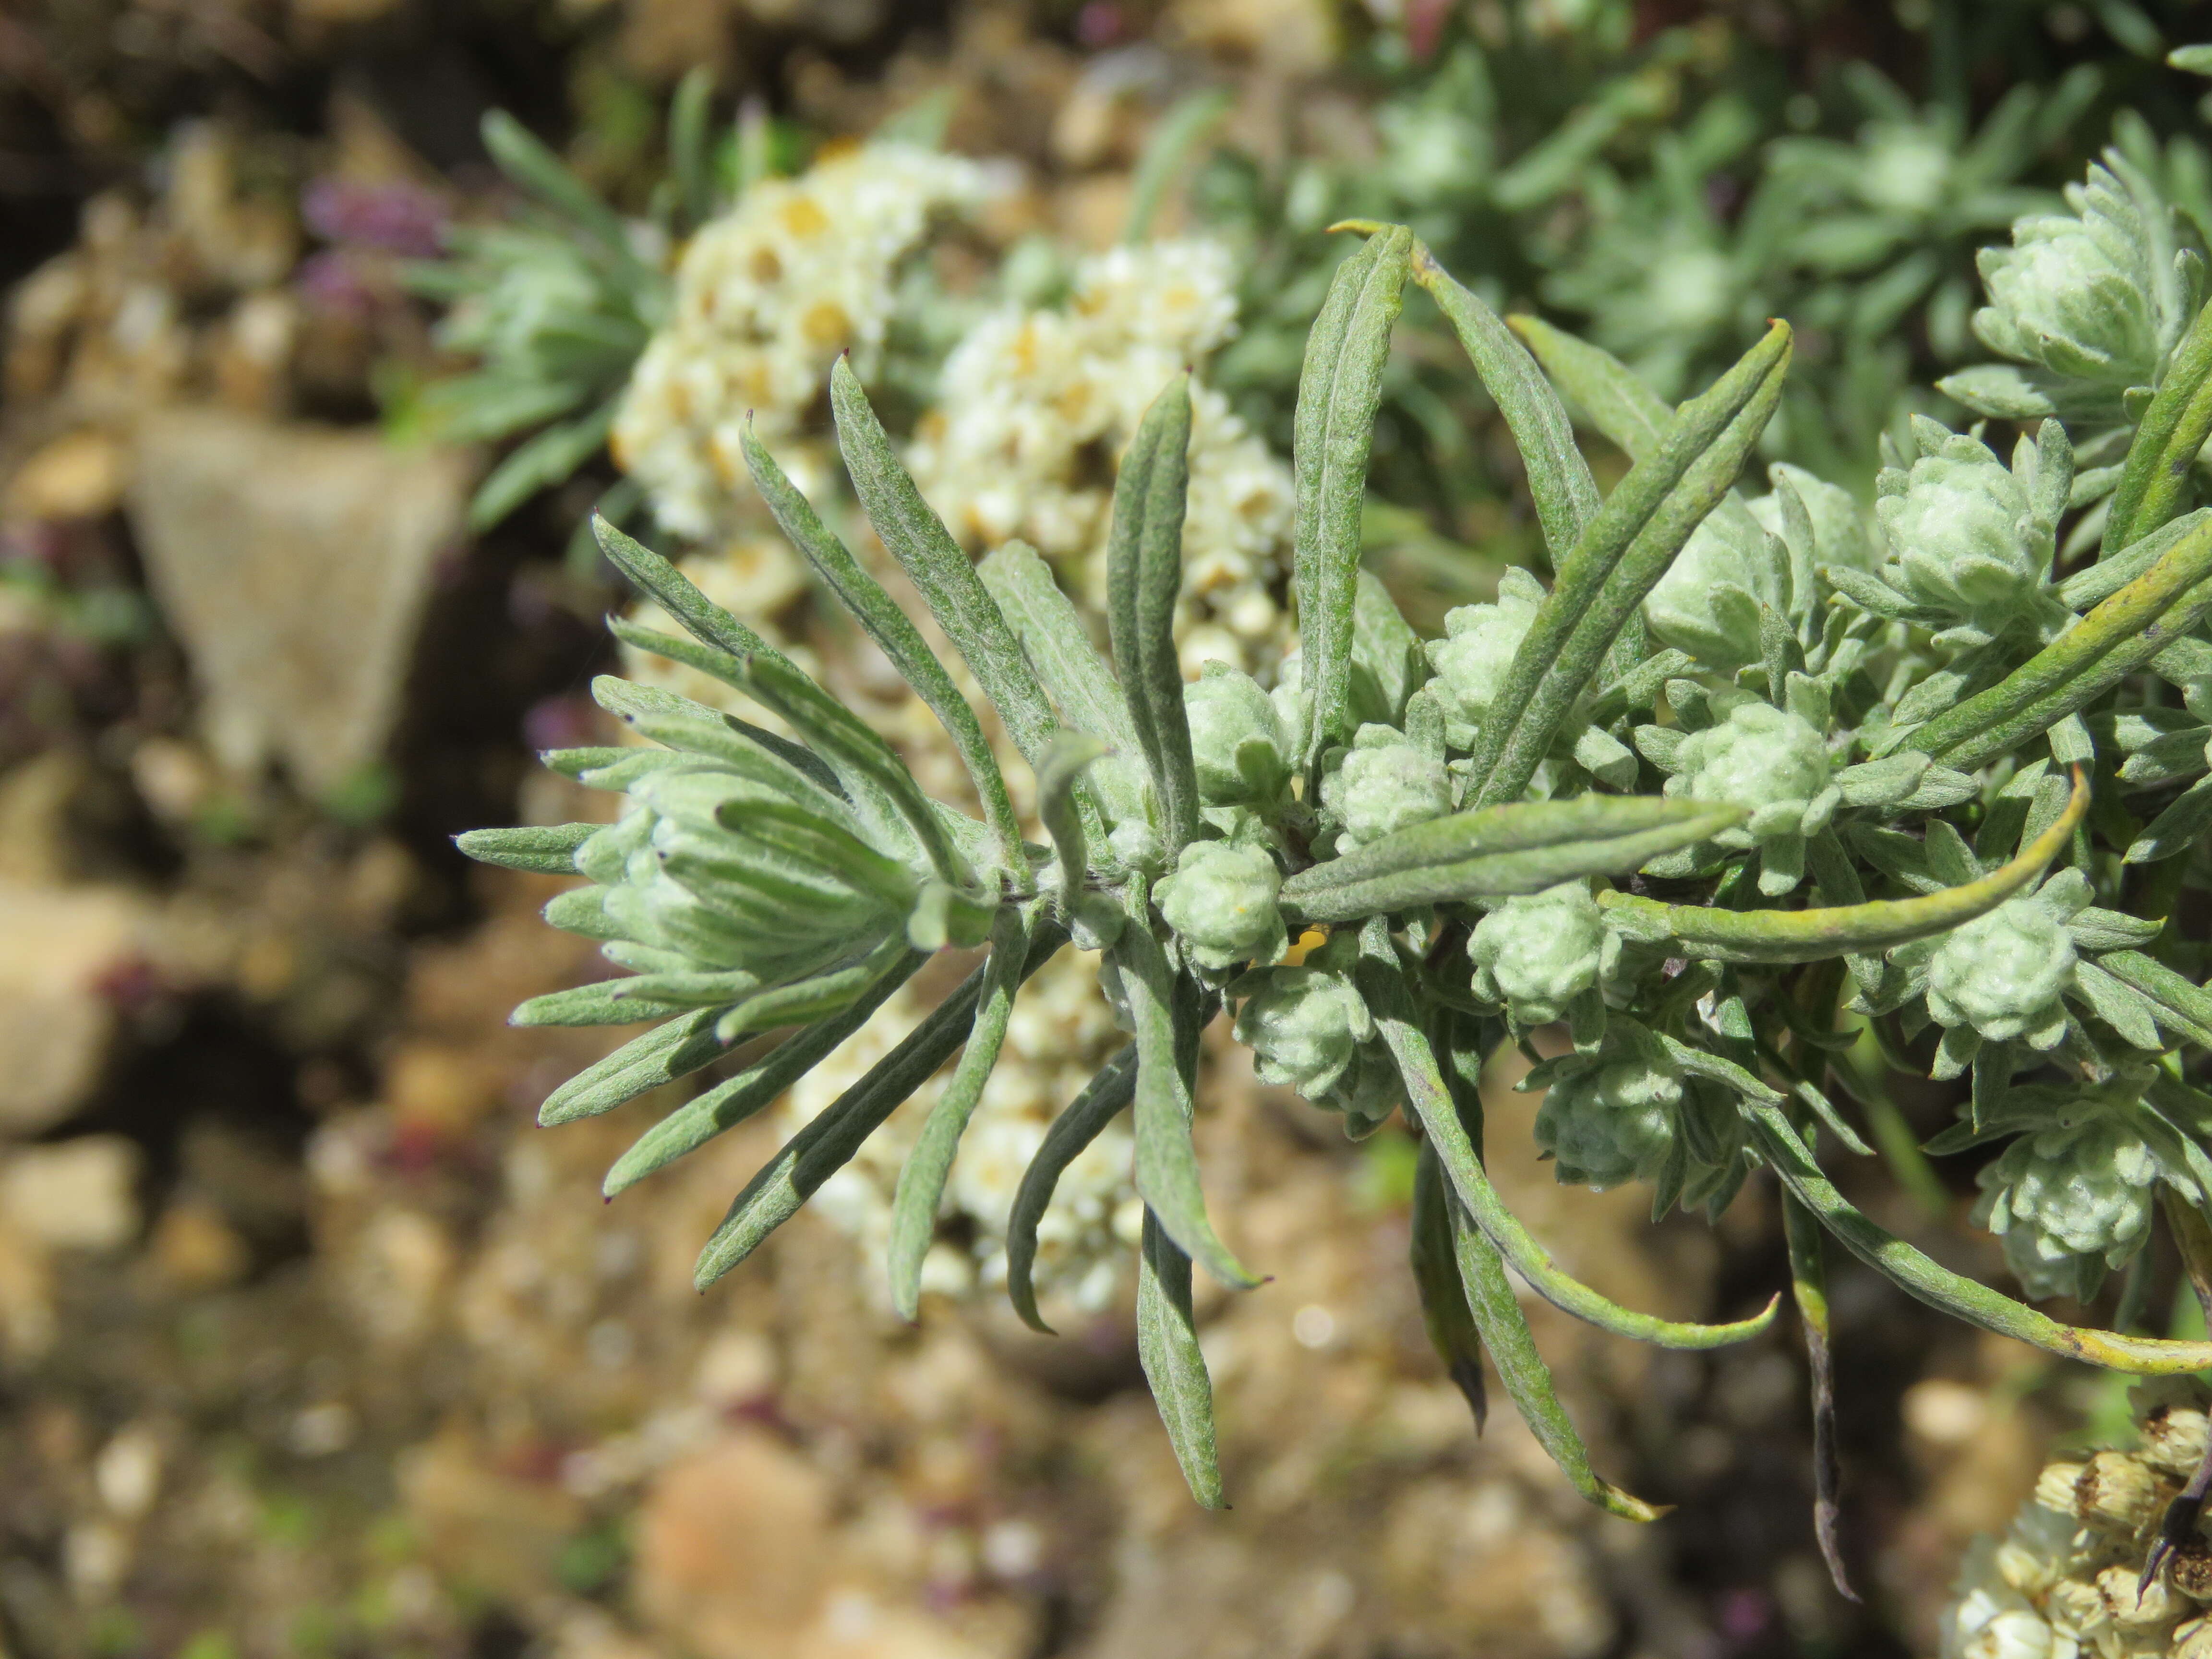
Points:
[(293, 563)]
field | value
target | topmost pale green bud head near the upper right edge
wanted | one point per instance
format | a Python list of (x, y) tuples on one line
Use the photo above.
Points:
[(2076, 291)]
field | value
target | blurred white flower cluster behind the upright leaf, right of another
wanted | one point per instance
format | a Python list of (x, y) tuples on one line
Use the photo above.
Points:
[(1036, 408)]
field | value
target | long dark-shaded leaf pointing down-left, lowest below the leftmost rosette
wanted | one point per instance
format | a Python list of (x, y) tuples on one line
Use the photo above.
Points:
[(828, 1145)]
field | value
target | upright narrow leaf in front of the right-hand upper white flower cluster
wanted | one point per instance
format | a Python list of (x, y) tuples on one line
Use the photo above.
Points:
[(1145, 576)]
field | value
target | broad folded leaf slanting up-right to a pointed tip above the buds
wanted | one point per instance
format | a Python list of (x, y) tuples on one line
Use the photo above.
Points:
[(1620, 559)]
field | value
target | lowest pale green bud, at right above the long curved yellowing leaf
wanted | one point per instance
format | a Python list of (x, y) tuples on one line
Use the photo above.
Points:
[(2072, 1202)]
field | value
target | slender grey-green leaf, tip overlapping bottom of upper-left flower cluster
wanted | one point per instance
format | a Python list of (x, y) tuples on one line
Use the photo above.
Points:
[(895, 634)]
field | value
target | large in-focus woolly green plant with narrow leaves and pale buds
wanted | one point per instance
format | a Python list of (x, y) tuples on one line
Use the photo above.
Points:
[(1846, 804)]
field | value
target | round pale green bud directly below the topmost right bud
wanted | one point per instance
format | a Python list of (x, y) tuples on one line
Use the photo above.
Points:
[(1963, 532)]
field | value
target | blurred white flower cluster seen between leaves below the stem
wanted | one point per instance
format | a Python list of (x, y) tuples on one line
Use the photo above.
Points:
[(1058, 1036)]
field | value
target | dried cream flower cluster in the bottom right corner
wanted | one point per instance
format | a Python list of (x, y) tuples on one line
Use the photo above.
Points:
[(2063, 1583)]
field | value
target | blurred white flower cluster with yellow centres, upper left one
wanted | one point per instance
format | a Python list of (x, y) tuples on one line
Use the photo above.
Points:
[(766, 298)]
